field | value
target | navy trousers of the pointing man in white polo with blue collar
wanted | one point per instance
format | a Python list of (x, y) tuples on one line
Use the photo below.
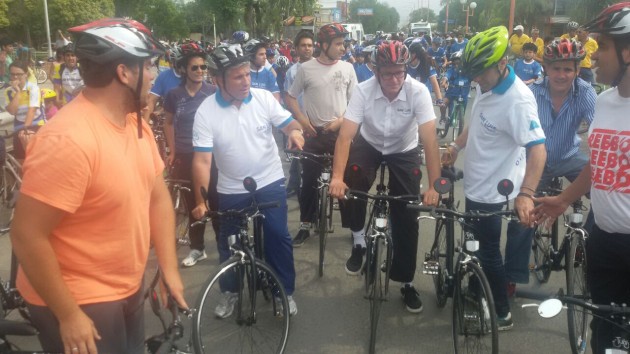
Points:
[(277, 241)]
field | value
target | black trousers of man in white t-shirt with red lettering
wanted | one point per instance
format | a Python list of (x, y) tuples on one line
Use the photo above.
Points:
[(607, 275)]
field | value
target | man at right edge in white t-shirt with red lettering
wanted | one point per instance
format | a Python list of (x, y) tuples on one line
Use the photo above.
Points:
[(606, 177)]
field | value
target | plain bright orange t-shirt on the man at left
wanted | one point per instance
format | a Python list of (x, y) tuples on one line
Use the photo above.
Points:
[(102, 175)]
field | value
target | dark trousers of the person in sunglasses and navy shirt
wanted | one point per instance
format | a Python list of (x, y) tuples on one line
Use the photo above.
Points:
[(183, 171)]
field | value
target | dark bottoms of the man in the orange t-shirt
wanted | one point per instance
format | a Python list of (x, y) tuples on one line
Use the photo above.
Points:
[(119, 323)]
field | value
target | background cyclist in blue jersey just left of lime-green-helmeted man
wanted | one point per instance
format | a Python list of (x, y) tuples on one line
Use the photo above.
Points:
[(456, 84)]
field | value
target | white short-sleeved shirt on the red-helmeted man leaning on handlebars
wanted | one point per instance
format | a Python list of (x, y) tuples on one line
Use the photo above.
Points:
[(390, 127)]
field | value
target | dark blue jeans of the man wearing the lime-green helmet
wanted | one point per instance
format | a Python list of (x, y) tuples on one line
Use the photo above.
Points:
[(488, 232)]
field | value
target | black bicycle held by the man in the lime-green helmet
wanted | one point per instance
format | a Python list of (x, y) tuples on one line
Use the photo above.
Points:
[(475, 326)]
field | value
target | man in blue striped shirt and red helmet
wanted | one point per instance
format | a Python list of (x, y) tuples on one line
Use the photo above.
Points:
[(564, 101)]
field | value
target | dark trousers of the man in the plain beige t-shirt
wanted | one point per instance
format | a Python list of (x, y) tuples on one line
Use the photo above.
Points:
[(322, 143)]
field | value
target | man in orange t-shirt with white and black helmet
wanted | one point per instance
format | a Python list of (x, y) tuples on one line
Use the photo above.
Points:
[(92, 202)]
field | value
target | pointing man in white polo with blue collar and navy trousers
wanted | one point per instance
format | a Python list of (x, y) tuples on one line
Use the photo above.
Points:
[(234, 126)]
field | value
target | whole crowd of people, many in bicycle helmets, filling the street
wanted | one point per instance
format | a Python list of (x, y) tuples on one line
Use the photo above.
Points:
[(94, 177)]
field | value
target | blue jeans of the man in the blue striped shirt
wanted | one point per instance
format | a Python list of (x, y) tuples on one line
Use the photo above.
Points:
[(518, 249)]
